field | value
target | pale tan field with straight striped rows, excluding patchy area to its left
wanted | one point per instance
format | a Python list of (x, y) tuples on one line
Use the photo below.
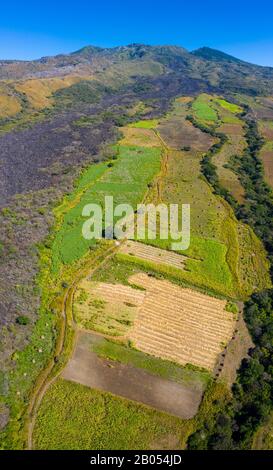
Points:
[(180, 324)]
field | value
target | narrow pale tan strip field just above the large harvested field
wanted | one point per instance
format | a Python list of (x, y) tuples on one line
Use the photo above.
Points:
[(150, 253)]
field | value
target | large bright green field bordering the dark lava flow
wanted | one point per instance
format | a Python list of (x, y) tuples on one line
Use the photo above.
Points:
[(127, 181)]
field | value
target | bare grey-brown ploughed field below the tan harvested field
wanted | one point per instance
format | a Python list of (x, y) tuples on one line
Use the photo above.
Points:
[(127, 381)]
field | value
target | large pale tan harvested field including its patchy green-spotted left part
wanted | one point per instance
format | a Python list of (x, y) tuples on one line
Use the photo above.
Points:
[(162, 319)]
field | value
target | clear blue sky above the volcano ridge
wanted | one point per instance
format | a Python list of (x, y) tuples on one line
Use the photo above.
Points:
[(30, 29)]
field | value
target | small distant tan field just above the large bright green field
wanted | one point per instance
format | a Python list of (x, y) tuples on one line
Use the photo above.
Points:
[(139, 136)]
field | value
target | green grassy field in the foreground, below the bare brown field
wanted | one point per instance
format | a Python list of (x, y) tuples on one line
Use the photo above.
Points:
[(73, 416)]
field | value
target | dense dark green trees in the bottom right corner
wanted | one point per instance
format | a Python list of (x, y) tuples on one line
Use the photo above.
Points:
[(251, 405)]
